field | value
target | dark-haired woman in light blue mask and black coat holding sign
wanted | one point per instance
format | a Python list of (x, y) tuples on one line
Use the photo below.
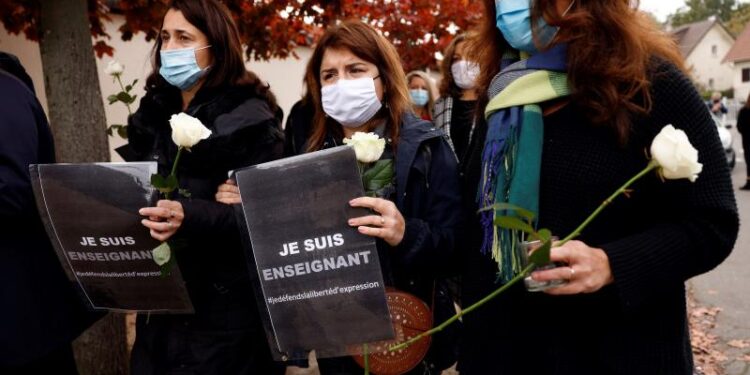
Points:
[(199, 70)]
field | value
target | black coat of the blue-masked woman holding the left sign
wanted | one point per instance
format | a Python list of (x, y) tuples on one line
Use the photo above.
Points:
[(224, 336)]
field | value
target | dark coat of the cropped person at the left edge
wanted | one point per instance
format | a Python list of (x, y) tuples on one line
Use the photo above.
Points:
[(41, 310)]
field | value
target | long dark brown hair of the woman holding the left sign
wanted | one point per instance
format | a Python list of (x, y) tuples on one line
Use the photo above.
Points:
[(215, 21)]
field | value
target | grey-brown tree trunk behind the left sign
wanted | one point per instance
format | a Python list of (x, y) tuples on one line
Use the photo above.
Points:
[(76, 116)]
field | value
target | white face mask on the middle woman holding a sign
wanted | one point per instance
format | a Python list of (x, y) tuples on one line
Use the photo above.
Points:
[(351, 102)]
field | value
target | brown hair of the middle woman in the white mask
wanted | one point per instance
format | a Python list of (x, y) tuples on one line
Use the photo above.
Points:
[(364, 42)]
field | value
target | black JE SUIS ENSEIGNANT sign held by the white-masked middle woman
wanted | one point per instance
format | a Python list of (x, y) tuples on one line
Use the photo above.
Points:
[(320, 279)]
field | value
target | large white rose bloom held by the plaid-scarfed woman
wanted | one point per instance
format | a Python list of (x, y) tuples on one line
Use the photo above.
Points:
[(676, 157)]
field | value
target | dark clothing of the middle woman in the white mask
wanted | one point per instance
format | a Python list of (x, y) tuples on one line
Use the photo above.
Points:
[(427, 195)]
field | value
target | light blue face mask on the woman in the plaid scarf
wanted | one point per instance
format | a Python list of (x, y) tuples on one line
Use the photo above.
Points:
[(513, 18)]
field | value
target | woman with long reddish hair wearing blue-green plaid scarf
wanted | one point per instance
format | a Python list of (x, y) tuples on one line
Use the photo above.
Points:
[(573, 92)]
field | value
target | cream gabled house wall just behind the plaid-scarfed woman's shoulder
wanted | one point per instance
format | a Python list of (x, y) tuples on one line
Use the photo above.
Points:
[(705, 62)]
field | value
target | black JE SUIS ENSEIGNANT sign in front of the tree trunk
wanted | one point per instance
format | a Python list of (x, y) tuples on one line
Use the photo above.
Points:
[(91, 215)]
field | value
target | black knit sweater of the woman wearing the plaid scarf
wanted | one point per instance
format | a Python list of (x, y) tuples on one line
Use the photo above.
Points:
[(659, 237)]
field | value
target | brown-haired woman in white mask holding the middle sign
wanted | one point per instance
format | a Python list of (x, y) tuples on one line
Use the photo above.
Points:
[(358, 85)]
